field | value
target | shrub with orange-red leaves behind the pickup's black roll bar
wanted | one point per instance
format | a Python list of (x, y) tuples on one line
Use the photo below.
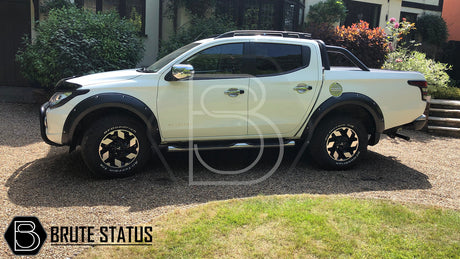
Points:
[(369, 45)]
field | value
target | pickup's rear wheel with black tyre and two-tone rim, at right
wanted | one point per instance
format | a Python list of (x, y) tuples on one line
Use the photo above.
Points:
[(338, 143)]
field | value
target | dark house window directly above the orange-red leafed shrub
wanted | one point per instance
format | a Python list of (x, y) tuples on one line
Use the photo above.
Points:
[(363, 11)]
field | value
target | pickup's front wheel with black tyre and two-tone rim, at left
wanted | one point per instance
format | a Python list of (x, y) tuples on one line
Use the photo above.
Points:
[(115, 146)]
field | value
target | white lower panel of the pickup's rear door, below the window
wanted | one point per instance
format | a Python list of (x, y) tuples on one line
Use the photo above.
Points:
[(275, 107)]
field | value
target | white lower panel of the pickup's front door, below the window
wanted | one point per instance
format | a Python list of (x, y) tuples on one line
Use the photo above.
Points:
[(201, 110)]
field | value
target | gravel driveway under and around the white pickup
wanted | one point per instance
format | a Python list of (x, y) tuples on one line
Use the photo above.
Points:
[(48, 182)]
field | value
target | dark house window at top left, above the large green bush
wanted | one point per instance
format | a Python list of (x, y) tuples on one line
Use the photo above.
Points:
[(125, 8)]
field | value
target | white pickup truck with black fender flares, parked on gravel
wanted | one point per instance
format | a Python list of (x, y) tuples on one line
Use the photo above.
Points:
[(240, 89)]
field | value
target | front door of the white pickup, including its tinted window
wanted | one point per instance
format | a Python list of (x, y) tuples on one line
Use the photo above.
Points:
[(213, 104)]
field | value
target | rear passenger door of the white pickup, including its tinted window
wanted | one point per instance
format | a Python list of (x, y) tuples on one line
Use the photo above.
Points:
[(282, 89)]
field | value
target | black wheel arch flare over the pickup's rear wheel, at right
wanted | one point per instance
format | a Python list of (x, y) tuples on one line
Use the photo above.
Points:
[(355, 104)]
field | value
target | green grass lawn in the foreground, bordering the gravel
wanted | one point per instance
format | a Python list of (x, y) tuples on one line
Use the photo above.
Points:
[(302, 226)]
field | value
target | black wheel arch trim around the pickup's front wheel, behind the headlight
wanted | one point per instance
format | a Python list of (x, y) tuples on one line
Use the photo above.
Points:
[(92, 107)]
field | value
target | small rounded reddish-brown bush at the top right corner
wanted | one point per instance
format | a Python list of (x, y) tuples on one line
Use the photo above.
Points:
[(432, 28)]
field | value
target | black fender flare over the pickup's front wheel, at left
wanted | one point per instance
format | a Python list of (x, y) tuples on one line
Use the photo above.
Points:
[(102, 101)]
